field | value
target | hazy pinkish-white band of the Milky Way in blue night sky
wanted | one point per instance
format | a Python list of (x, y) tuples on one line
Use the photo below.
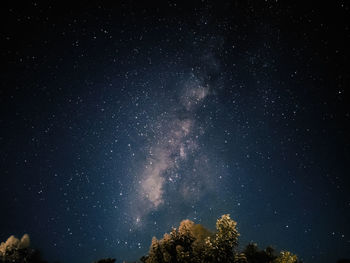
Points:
[(175, 165)]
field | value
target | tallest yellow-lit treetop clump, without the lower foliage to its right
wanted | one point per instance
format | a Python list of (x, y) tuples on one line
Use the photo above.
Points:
[(193, 243)]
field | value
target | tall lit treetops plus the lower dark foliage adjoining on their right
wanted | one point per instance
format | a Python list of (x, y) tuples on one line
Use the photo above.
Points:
[(192, 243)]
